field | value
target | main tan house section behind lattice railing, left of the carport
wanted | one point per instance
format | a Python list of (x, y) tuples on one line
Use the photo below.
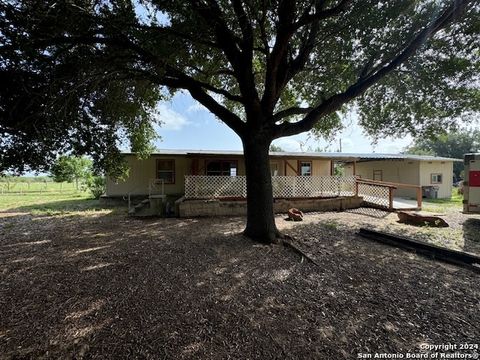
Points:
[(171, 166)]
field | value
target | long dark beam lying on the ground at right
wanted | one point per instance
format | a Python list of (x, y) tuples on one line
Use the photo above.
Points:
[(432, 251)]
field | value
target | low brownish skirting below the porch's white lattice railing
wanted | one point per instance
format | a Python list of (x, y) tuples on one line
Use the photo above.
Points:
[(219, 207)]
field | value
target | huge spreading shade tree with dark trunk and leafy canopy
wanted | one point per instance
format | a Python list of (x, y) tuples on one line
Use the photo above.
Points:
[(267, 69)]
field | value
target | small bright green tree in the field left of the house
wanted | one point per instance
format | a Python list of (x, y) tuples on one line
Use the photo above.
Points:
[(71, 168)]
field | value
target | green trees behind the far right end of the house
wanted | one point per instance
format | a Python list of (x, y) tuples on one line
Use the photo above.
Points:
[(453, 144)]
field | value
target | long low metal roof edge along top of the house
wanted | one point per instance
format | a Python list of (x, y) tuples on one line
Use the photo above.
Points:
[(321, 155)]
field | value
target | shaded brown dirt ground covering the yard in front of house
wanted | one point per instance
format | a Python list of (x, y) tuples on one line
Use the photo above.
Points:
[(100, 285)]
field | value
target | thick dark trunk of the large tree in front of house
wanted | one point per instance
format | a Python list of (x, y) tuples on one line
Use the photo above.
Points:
[(260, 218)]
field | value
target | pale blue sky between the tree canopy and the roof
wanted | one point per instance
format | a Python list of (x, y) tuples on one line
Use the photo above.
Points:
[(188, 125)]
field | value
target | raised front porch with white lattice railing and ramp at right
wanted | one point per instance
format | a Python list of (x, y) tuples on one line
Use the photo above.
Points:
[(226, 195)]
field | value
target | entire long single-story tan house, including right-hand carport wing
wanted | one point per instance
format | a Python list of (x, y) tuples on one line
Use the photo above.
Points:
[(167, 169)]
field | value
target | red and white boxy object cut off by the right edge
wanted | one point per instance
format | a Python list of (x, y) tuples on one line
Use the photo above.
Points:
[(471, 185)]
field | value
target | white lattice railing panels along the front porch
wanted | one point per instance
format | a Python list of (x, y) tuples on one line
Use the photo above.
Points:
[(207, 187)]
